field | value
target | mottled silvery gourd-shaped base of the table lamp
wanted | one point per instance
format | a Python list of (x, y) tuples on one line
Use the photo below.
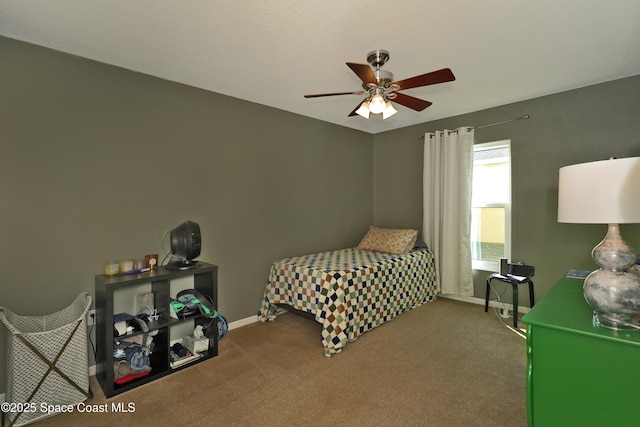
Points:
[(612, 291)]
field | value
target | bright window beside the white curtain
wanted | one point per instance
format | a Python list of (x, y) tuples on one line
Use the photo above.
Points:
[(491, 205)]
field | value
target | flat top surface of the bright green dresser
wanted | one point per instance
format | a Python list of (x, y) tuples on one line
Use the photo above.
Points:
[(565, 308)]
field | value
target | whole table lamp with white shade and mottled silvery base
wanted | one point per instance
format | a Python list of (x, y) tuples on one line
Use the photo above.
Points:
[(606, 192)]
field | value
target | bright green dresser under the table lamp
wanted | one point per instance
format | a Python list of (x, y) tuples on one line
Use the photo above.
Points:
[(579, 374)]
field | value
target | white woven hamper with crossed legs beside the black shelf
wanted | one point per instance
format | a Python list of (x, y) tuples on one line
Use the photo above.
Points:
[(63, 379)]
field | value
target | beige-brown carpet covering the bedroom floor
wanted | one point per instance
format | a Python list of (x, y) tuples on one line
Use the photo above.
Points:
[(446, 363)]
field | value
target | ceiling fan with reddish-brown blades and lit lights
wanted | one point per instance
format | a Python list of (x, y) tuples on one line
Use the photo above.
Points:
[(381, 90)]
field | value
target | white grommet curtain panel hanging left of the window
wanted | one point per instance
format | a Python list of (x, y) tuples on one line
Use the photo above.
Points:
[(447, 174)]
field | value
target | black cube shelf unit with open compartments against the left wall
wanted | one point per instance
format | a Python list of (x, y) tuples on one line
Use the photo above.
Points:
[(119, 294)]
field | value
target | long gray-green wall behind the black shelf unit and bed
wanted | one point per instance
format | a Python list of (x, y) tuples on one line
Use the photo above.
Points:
[(97, 162)]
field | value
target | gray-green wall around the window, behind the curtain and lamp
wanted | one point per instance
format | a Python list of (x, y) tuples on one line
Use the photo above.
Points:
[(587, 124)]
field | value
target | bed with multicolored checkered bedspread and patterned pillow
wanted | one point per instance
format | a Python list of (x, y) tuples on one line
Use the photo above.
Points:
[(351, 291)]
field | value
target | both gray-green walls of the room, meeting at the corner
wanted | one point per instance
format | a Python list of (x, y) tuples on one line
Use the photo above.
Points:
[(96, 162)]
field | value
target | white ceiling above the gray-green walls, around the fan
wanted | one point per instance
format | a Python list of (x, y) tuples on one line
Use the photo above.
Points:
[(274, 51)]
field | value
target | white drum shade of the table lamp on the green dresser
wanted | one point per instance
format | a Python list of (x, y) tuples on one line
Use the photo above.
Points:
[(603, 192)]
